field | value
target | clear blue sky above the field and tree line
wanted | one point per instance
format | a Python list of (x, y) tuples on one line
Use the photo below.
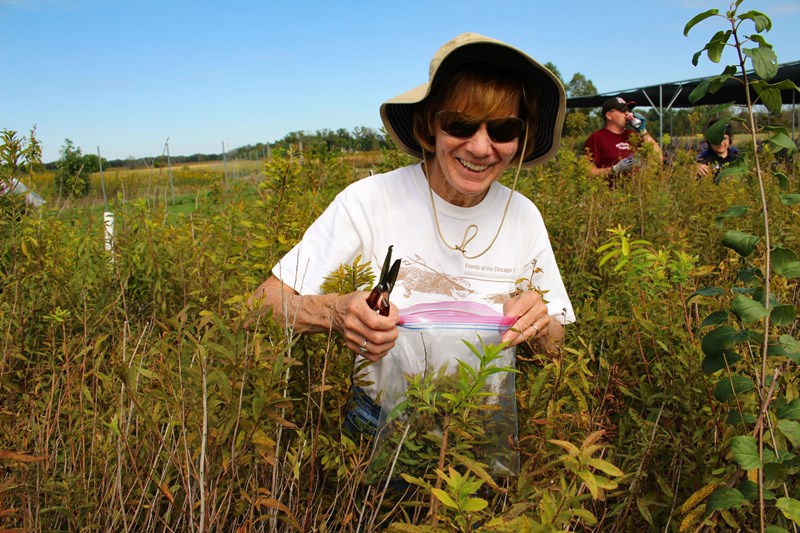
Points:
[(127, 75)]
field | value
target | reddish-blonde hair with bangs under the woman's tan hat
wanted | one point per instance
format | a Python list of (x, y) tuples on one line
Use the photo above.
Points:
[(480, 91)]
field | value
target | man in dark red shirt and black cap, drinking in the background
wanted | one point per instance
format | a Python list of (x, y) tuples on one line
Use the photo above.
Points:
[(609, 149)]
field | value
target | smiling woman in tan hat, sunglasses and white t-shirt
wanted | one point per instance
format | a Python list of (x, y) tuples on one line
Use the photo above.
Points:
[(460, 234)]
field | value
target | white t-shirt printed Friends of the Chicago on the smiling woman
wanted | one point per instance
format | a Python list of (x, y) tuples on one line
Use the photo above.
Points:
[(395, 209)]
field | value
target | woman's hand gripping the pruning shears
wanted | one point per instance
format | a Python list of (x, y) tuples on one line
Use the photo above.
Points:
[(366, 332)]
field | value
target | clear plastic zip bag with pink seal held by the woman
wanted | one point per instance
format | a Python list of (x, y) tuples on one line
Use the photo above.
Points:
[(449, 384)]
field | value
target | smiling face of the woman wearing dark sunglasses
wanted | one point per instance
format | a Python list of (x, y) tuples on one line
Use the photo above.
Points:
[(466, 167)]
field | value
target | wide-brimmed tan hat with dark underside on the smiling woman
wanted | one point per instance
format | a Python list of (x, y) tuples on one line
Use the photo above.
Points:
[(398, 113)]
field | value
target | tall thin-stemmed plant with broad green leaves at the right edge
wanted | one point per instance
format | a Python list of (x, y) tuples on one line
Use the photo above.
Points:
[(749, 346)]
